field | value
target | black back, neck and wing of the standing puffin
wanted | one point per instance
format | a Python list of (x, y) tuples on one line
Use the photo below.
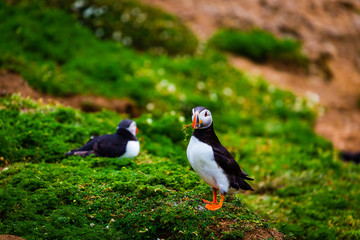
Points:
[(224, 158)]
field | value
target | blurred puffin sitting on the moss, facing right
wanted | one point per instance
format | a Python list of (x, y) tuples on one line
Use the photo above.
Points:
[(121, 144)]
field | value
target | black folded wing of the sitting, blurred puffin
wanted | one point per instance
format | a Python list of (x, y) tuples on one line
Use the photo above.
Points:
[(112, 145)]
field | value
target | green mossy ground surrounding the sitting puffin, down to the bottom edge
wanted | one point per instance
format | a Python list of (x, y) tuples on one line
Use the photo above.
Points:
[(47, 196)]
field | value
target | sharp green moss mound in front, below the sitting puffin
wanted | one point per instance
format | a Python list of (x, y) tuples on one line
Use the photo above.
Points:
[(80, 200)]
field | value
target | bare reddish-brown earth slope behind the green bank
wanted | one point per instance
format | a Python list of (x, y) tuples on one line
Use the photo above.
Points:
[(329, 33)]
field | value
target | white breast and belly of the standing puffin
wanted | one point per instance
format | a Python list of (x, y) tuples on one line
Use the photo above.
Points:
[(201, 158)]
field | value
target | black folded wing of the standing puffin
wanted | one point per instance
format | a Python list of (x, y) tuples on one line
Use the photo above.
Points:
[(232, 169)]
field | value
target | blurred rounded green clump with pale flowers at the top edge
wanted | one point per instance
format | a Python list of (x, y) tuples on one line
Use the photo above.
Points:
[(132, 23)]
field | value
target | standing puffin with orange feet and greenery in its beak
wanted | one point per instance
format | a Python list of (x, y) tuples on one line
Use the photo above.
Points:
[(212, 161)]
